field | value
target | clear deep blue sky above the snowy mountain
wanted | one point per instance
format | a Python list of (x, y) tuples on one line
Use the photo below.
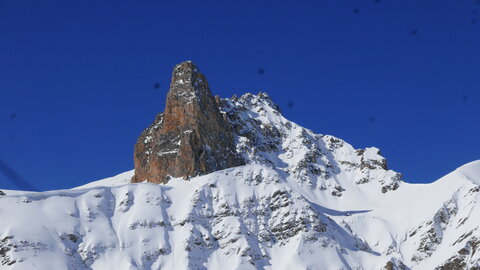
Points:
[(77, 77)]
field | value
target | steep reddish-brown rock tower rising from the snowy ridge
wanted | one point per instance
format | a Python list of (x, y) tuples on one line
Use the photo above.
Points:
[(190, 138)]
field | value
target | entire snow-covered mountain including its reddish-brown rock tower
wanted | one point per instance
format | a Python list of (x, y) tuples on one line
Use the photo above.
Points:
[(289, 199)]
